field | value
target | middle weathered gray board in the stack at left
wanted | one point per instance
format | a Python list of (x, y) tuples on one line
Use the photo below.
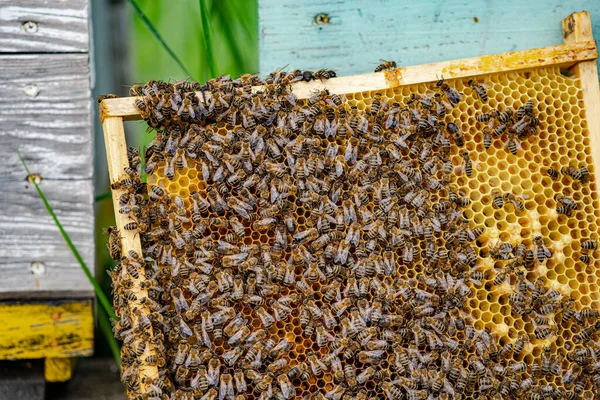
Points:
[(45, 112)]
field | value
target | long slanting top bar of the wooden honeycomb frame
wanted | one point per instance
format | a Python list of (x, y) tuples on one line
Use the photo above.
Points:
[(554, 55)]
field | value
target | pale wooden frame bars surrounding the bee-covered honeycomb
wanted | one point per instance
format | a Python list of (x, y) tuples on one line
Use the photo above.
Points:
[(579, 53)]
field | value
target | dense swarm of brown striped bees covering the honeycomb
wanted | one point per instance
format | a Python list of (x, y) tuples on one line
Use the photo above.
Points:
[(345, 201)]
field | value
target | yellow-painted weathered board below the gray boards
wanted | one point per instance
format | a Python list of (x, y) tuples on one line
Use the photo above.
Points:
[(49, 329)]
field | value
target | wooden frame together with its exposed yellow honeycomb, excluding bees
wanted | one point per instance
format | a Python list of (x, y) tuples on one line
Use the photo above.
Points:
[(561, 98)]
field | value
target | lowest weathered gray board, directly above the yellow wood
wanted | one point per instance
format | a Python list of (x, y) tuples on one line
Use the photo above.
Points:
[(28, 234)]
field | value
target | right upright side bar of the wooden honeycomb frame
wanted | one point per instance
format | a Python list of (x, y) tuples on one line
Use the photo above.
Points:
[(578, 28)]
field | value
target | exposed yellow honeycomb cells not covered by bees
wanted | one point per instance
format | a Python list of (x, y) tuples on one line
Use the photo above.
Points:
[(561, 140)]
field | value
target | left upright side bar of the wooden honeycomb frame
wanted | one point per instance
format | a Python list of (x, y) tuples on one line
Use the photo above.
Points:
[(116, 154)]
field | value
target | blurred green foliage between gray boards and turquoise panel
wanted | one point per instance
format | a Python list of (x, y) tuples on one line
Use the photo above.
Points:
[(234, 34)]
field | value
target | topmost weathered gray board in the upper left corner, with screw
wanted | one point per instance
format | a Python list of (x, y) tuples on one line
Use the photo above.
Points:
[(41, 26)]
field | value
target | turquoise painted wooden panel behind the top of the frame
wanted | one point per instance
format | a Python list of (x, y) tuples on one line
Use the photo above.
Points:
[(360, 32)]
